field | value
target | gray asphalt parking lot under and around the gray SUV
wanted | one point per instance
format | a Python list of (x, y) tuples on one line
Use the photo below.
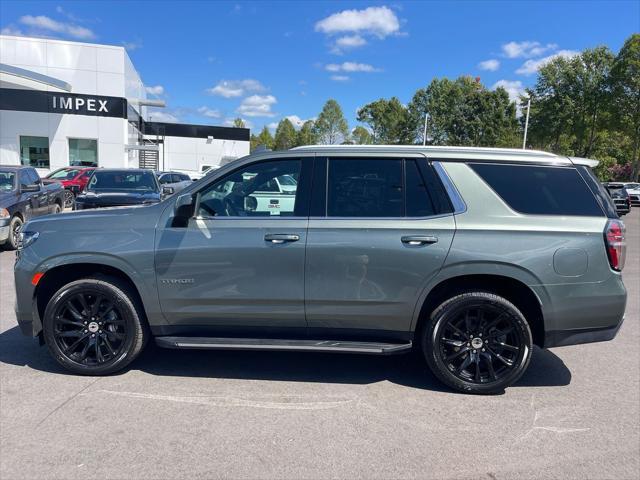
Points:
[(181, 414)]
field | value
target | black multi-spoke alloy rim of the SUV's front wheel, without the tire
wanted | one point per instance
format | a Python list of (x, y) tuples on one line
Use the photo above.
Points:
[(89, 328)]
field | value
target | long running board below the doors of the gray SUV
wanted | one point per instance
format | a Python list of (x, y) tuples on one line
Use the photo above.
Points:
[(208, 343)]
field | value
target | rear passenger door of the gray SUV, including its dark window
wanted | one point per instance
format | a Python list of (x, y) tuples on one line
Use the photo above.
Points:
[(380, 228)]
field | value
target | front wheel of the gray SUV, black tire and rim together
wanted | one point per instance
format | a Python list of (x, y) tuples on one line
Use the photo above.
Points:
[(94, 340)]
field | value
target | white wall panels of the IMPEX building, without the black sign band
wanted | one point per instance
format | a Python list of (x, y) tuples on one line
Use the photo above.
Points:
[(94, 70)]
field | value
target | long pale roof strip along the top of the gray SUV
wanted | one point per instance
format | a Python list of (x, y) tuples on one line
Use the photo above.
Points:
[(444, 153)]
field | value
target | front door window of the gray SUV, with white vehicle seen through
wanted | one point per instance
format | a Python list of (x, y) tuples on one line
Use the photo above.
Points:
[(252, 191)]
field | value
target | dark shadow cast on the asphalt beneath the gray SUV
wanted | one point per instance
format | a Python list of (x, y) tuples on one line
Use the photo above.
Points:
[(546, 369)]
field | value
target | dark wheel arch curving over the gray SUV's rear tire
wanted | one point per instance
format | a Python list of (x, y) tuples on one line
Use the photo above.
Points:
[(513, 289)]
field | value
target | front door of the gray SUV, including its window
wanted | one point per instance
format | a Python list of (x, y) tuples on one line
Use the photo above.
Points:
[(240, 261)]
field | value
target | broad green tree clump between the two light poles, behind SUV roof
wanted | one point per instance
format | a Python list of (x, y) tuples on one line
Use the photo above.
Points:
[(463, 112)]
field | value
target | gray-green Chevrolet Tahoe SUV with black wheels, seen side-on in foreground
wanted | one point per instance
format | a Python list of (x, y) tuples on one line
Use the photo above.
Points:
[(468, 256)]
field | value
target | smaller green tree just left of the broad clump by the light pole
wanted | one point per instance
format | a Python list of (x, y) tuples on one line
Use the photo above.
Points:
[(389, 121)]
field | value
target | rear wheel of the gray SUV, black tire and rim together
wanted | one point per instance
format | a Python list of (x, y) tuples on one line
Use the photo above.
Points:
[(481, 353)]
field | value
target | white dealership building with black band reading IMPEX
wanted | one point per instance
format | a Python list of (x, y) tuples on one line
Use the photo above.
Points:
[(67, 103)]
